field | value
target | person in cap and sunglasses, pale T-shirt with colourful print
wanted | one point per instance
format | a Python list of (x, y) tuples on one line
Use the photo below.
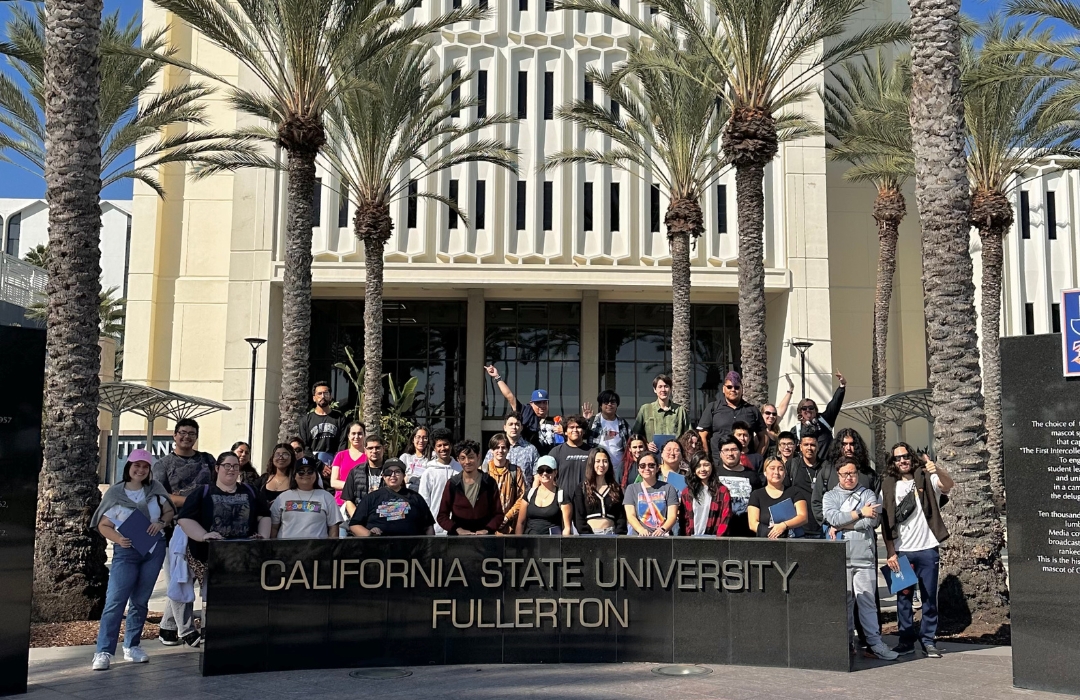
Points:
[(305, 511)]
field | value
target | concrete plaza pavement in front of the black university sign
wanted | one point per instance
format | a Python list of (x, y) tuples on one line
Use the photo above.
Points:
[(173, 672)]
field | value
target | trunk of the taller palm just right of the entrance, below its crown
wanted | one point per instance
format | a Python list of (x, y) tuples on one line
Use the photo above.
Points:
[(750, 196)]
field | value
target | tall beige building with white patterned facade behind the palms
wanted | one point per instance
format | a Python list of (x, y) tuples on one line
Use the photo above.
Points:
[(562, 279)]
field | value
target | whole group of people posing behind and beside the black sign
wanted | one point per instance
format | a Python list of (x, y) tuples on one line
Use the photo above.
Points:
[(591, 475)]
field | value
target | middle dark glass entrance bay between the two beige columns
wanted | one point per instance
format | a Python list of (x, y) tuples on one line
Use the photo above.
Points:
[(536, 345)]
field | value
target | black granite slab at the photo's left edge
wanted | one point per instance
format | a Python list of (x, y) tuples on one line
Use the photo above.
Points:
[(22, 376)]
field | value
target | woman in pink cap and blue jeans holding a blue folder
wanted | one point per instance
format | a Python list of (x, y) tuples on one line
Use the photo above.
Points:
[(133, 575)]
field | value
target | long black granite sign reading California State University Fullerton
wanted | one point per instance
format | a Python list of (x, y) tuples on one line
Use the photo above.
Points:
[(313, 604)]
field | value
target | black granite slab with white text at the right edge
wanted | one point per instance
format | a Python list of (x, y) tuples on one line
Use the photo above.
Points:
[(1042, 416)]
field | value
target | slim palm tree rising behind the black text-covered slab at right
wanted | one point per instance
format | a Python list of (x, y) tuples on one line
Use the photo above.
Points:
[(1015, 122)]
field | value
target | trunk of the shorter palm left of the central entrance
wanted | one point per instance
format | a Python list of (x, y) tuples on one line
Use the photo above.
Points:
[(373, 226)]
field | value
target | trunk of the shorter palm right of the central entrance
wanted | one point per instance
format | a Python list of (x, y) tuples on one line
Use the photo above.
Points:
[(684, 221)]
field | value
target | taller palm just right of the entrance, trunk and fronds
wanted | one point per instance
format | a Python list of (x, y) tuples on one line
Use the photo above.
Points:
[(766, 55)]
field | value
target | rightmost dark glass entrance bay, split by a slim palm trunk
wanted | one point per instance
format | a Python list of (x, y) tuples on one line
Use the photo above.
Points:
[(636, 347)]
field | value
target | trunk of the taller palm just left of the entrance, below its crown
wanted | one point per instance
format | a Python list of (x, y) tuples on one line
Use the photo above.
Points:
[(296, 304)]
